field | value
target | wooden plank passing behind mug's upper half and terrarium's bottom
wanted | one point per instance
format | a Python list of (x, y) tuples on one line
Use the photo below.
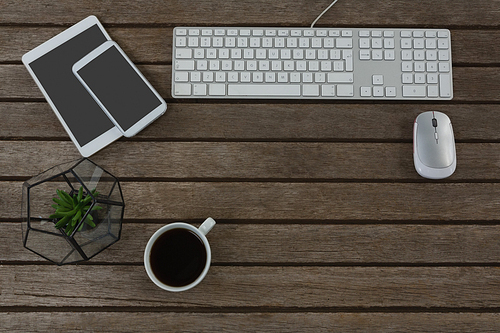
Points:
[(321, 244)]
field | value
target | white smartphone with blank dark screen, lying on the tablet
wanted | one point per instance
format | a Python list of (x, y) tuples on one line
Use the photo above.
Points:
[(121, 90)]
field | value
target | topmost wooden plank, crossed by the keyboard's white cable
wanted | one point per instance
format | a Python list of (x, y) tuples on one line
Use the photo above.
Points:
[(400, 13)]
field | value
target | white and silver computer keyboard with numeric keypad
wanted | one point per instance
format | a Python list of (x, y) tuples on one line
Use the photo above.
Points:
[(319, 63)]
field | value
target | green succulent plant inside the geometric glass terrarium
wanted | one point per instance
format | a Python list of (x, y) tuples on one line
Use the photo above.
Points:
[(70, 209)]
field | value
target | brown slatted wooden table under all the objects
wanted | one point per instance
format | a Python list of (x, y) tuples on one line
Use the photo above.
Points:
[(323, 223)]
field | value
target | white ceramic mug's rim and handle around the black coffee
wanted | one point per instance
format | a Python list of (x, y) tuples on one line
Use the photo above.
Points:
[(201, 232)]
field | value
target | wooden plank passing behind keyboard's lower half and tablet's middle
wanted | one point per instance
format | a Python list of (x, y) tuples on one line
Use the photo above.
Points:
[(469, 84)]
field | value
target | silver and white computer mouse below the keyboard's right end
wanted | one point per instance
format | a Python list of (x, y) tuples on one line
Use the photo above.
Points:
[(434, 151)]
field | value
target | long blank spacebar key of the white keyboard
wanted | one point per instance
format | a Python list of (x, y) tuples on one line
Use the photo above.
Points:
[(263, 90)]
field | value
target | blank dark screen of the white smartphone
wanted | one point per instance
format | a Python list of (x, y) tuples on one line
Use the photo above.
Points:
[(119, 88)]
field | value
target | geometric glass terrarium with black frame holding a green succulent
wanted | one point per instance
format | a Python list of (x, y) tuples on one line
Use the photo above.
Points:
[(72, 212)]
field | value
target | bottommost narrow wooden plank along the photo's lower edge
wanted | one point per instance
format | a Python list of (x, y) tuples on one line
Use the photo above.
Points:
[(249, 322)]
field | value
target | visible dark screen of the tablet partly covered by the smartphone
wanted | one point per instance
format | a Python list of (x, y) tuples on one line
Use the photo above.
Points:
[(76, 106)]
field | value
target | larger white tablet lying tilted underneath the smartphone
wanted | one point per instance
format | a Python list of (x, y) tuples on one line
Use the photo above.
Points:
[(50, 65)]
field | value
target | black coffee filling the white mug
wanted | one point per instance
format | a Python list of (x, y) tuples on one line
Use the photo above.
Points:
[(178, 257)]
